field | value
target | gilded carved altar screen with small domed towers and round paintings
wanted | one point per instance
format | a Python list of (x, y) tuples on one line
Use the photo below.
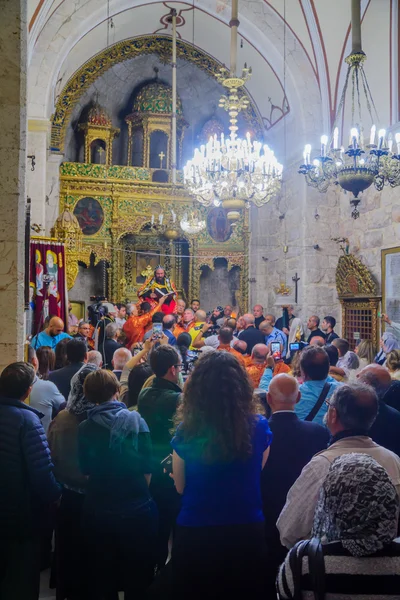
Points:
[(120, 221)]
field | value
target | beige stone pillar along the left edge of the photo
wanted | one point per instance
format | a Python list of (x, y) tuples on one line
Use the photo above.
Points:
[(13, 65)]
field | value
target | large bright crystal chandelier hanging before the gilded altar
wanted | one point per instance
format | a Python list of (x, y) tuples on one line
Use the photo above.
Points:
[(231, 171)]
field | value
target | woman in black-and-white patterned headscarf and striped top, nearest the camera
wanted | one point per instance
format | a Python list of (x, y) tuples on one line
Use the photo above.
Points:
[(355, 524)]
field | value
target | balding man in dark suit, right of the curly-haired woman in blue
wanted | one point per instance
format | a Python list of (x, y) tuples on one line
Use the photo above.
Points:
[(294, 444)]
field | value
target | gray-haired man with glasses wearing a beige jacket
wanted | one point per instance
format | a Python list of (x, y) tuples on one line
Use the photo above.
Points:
[(352, 410)]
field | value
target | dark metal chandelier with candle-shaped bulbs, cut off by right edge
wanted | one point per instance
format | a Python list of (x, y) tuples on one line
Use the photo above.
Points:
[(365, 161)]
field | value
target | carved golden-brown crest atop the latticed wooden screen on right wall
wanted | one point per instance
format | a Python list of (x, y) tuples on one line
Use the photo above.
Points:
[(353, 279)]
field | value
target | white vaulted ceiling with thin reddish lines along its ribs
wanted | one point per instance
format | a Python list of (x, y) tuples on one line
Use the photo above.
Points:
[(314, 35)]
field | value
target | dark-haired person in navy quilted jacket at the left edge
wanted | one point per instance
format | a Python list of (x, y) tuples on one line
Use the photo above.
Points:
[(28, 485)]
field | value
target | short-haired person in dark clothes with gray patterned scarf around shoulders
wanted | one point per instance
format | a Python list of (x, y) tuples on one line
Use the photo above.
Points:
[(119, 515)]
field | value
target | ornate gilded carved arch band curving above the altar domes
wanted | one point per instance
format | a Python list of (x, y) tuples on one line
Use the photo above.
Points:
[(119, 52)]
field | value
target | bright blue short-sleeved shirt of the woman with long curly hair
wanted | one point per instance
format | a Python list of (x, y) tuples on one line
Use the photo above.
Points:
[(223, 493)]
